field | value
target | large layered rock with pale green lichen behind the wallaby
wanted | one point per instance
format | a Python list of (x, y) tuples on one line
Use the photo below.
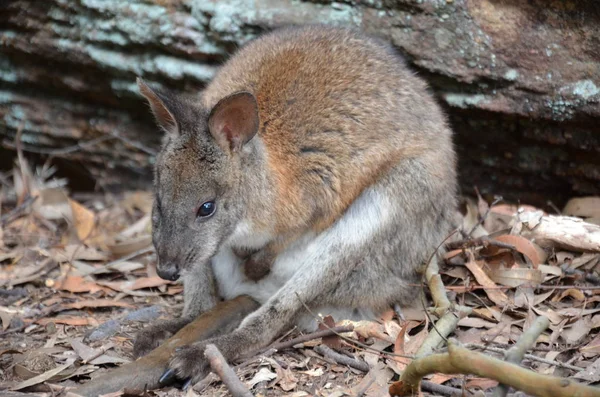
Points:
[(520, 80)]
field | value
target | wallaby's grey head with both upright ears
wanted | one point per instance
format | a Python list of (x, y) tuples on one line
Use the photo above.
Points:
[(199, 196)]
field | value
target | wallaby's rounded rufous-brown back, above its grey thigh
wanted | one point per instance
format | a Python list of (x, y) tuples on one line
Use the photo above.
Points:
[(336, 110)]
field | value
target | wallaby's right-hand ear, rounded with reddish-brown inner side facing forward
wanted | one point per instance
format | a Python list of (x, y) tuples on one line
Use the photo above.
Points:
[(234, 121)]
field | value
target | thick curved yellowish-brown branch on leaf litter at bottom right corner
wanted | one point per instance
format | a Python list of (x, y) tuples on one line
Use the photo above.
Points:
[(459, 360)]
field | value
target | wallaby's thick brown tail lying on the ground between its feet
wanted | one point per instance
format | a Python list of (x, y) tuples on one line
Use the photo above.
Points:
[(146, 371)]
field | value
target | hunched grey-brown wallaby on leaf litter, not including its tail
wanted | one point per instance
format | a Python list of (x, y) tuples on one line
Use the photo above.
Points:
[(315, 156)]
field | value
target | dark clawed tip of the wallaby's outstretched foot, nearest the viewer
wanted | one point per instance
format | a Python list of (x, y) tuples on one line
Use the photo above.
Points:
[(189, 364)]
